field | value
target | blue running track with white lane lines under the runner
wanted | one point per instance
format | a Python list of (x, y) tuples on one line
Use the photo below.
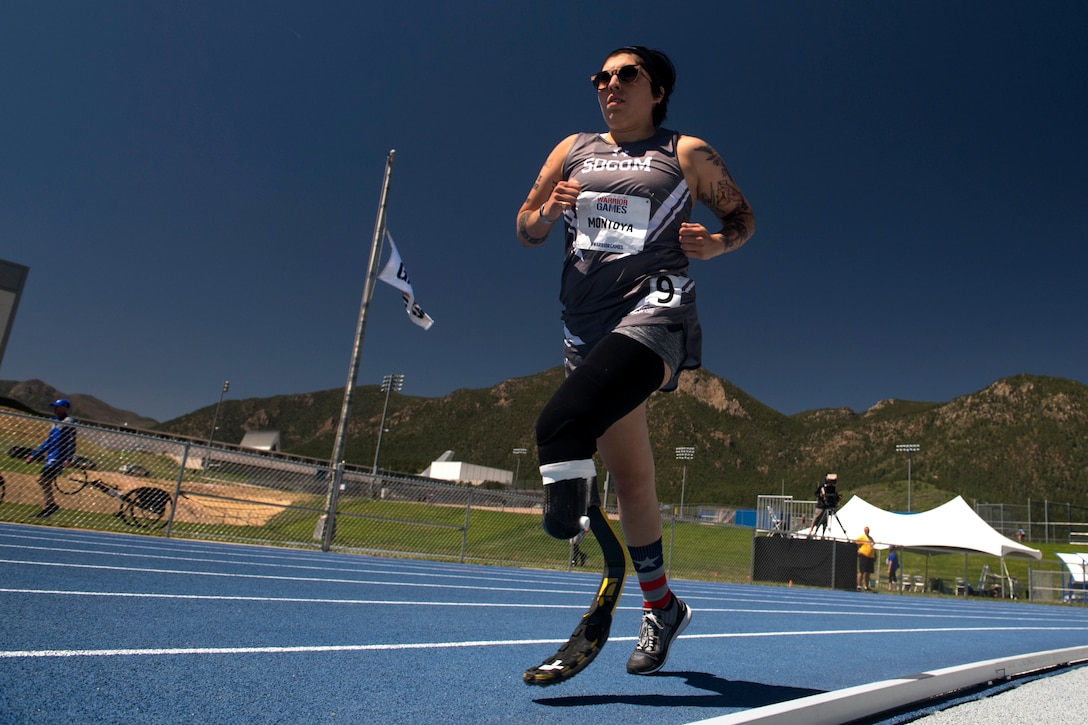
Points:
[(112, 629)]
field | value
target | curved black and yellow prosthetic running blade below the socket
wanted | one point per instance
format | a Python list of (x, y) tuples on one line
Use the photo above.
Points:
[(592, 632)]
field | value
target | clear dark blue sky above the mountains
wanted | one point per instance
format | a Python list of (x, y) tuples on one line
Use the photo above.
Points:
[(194, 186)]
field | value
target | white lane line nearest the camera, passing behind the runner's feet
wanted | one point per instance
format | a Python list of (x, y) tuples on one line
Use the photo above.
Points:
[(14, 655)]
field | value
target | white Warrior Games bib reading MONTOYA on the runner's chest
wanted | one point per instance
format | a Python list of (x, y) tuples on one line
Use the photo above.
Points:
[(612, 223)]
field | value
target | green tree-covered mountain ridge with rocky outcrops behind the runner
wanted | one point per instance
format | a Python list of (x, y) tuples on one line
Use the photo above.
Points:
[(1021, 438)]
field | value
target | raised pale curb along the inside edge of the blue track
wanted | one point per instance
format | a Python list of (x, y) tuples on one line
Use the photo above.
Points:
[(868, 701)]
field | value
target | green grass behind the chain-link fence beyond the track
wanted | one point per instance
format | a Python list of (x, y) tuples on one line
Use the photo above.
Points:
[(693, 550)]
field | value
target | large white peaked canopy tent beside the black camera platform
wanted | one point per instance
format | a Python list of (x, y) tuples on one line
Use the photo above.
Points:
[(951, 527)]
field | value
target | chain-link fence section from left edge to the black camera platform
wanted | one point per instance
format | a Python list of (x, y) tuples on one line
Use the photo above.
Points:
[(165, 486)]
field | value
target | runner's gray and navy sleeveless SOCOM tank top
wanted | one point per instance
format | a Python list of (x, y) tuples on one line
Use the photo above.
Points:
[(624, 264)]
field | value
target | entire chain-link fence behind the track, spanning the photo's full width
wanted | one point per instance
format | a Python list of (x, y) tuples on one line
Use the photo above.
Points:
[(166, 486)]
